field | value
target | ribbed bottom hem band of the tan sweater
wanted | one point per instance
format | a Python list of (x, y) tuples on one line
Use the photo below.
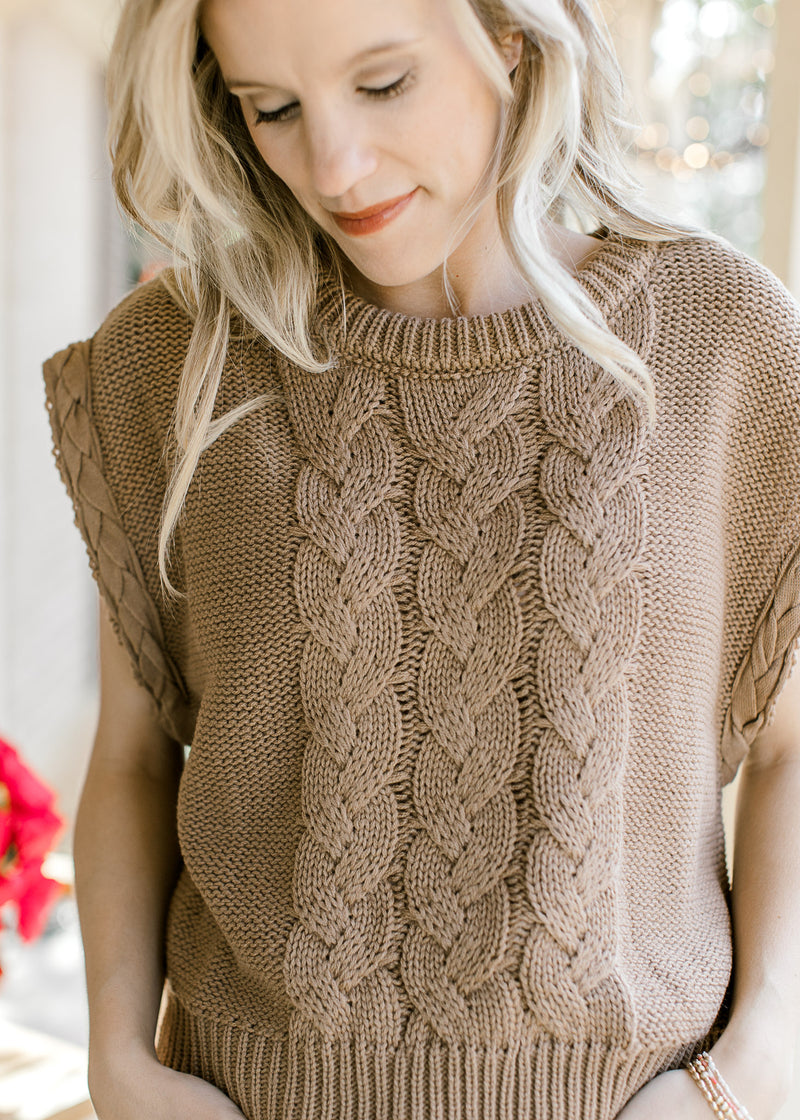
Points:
[(275, 1079)]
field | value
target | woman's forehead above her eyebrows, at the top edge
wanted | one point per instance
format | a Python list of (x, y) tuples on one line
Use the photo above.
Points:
[(278, 41)]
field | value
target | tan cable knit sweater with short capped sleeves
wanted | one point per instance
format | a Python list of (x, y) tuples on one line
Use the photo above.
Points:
[(467, 656)]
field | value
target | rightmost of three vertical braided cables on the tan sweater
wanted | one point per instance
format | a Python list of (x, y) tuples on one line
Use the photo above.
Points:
[(591, 591)]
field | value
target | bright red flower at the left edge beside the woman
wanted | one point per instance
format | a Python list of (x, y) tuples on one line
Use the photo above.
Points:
[(29, 827)]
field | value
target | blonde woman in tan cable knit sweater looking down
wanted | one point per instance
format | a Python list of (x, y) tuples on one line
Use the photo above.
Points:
[(463, 550)]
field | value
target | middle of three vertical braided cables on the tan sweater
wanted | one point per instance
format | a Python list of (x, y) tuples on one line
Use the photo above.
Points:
[(467, 505)]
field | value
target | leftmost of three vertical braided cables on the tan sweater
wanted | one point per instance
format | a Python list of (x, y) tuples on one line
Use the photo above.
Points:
[(337, 953)]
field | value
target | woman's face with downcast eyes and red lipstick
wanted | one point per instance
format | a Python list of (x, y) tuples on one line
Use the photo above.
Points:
[(356, 104)]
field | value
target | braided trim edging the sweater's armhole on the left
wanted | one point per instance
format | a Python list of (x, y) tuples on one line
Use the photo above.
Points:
[(114, 558)]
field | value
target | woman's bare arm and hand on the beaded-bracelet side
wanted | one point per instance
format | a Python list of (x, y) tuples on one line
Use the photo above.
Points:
[(756, 1053)]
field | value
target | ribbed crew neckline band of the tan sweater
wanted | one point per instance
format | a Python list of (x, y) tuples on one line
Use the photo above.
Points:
[(467, 344)]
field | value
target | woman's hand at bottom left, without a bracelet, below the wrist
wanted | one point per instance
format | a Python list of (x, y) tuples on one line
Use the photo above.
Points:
[(143, 1088)]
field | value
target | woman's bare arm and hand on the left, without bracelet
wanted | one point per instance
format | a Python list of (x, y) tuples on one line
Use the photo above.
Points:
[(127, 861)]
